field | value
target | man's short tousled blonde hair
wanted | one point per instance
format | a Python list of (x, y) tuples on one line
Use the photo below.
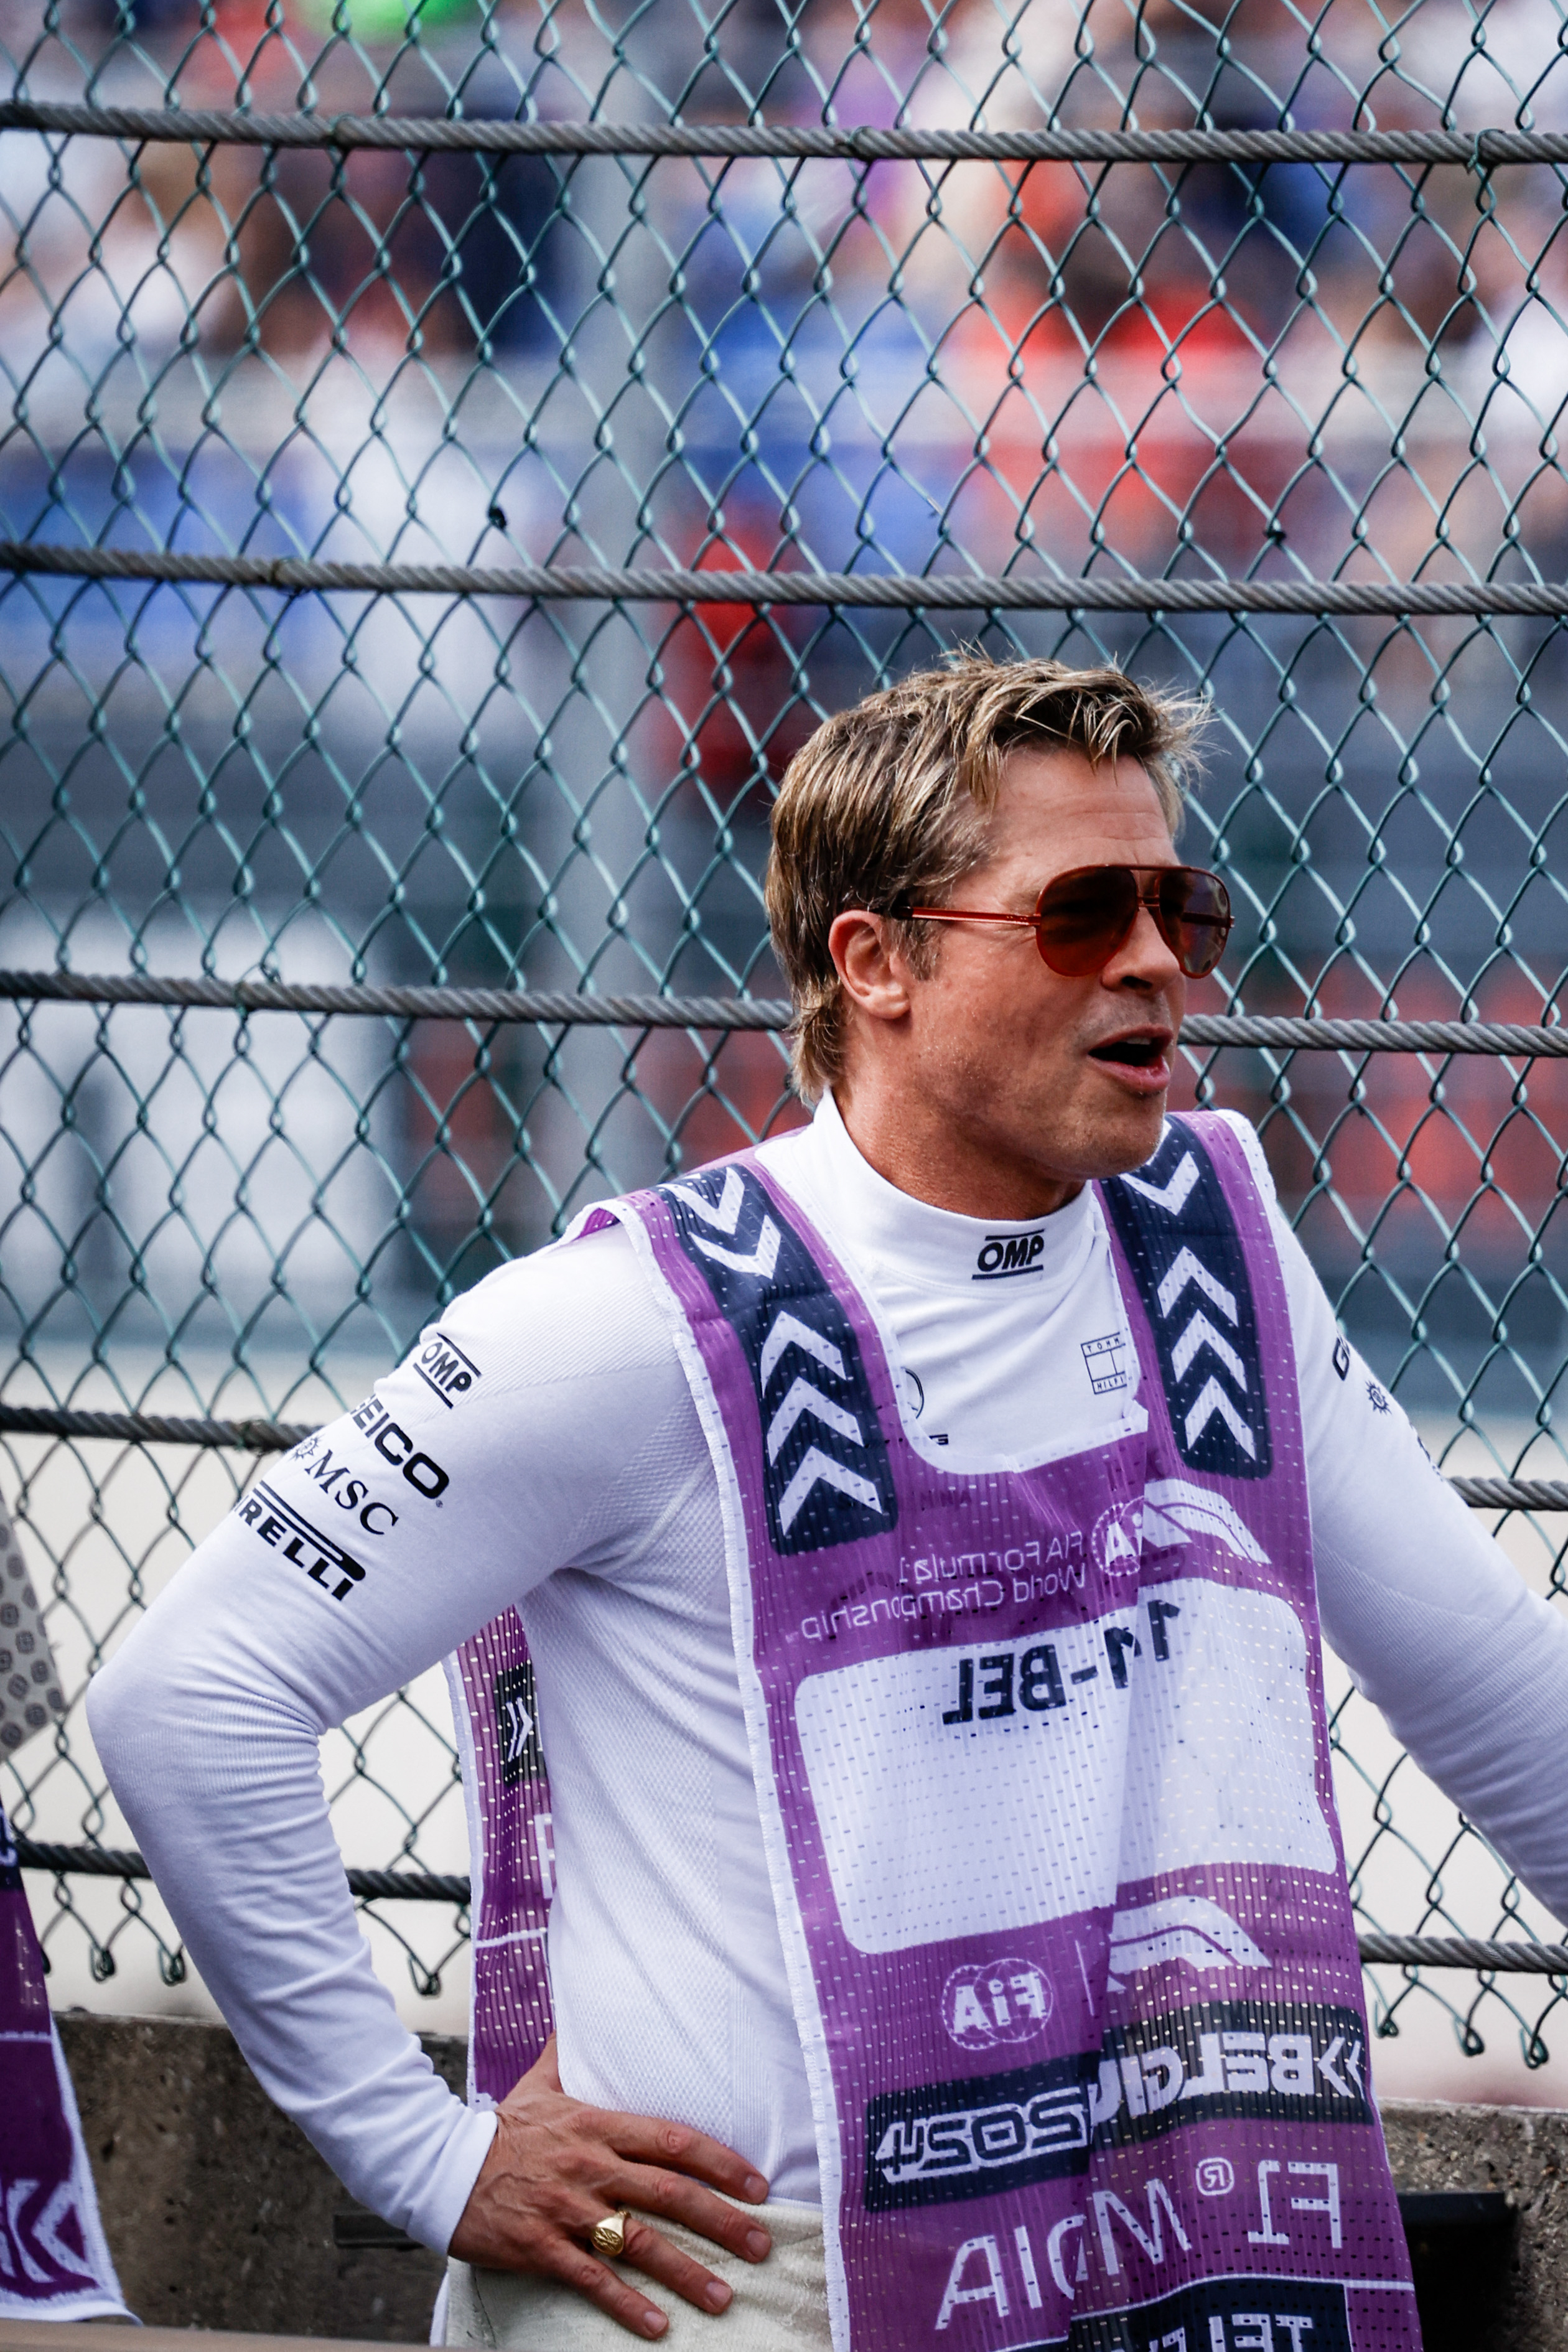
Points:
[(890, 803)]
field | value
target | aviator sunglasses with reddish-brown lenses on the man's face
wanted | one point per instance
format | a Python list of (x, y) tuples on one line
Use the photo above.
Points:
[(1085, 916)]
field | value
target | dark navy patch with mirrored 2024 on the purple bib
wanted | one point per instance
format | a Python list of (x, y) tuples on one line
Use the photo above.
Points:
[(972, 2139)]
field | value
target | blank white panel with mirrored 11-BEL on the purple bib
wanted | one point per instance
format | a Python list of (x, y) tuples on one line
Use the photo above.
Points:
[(989, 1789)]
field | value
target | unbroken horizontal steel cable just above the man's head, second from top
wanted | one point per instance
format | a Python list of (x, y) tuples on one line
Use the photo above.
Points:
[(878, 592)]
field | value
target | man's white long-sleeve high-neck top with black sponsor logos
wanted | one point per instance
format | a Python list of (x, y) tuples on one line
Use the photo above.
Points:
[(549, 1455)]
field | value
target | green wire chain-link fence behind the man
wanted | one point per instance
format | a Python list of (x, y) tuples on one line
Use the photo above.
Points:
[(396, 394)]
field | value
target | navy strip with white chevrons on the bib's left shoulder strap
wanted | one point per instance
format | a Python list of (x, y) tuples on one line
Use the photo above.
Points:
[(824, 1459)]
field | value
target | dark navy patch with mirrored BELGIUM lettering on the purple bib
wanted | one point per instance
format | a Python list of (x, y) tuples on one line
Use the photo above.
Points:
[(1271, 2059)]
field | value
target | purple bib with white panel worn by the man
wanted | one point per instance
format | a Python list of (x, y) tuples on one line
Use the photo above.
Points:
[(1043, 1768)]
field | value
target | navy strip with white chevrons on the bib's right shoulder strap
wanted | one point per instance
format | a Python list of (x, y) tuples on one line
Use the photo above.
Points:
[(1186, 1255)]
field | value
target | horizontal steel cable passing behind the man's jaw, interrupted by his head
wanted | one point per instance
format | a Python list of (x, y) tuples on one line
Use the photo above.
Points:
[(572, 1010)]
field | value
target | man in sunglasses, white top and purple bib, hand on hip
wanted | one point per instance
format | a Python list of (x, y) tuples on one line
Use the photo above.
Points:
[(906, 1542)]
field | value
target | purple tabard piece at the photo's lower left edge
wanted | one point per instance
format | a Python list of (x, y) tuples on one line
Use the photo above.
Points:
[(53, 2254)]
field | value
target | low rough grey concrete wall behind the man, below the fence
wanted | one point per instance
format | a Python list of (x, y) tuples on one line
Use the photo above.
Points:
[(220, 2212)]
